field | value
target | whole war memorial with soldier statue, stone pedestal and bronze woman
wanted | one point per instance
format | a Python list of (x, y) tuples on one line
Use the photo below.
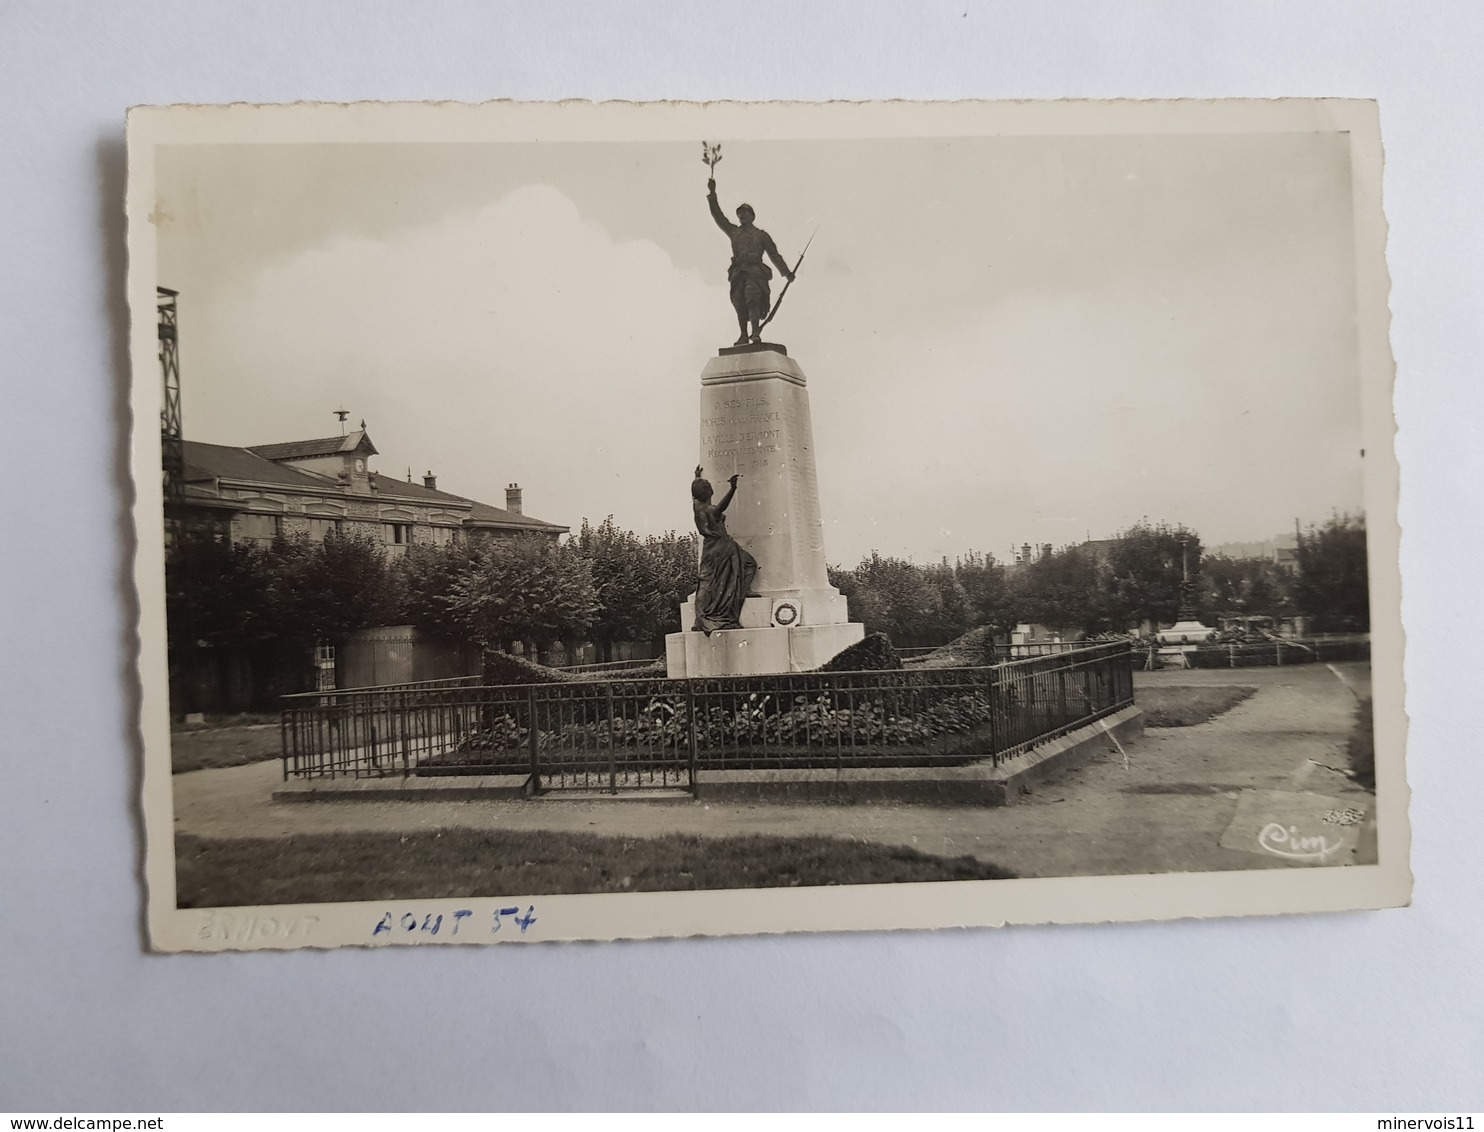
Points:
[(764, 602)]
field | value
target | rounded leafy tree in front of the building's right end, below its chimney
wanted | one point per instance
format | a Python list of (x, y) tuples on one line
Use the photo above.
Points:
[(525, 590)]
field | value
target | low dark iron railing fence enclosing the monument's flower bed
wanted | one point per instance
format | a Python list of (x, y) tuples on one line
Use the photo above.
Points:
[(658, 734)]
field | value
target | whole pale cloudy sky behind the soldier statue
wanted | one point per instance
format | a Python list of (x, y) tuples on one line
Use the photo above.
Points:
[(1008, 340)]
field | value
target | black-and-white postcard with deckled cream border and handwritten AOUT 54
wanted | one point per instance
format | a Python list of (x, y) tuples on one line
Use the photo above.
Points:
[(594, 521)]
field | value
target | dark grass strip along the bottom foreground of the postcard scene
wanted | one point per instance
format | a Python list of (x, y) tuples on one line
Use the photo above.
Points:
[(318, 869)]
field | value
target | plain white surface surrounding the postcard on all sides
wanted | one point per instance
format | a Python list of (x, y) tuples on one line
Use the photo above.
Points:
[(1368, 1011)]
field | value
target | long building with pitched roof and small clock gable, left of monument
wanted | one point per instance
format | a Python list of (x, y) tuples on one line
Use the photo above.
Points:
[(327, 484)]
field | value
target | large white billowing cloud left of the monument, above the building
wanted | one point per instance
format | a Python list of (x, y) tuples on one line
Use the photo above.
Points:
[(517, 343)]
